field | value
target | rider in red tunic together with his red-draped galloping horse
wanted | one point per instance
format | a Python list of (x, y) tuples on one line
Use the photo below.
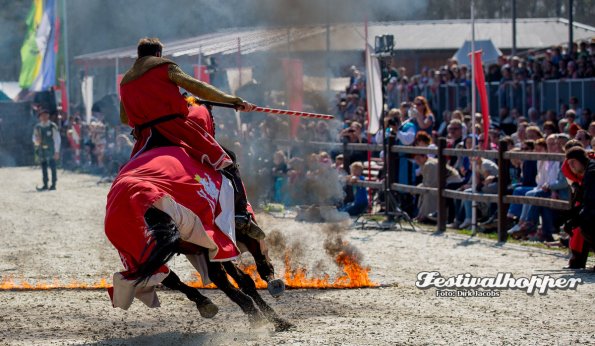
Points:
[(152, 104)]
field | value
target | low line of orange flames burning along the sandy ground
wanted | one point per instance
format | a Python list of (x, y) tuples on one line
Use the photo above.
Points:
[(354, 276)]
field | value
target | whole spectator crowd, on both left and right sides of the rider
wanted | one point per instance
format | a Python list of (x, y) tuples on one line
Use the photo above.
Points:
[(317, 170)]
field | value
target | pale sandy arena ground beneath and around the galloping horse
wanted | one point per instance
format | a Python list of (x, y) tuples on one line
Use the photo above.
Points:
[(59, 235)]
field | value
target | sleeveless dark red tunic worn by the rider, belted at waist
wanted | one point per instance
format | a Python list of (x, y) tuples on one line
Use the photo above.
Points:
[(152, 96)]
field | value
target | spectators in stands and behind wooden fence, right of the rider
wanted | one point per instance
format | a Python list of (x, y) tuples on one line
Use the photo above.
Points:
[(305, 178)]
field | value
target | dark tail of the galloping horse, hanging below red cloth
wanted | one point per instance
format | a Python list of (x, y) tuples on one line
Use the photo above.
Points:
[(164, 238)]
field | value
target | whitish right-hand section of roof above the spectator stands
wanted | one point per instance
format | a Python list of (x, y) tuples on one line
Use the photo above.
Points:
[(451, 34)]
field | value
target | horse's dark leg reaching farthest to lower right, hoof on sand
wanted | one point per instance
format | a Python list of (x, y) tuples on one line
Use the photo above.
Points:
[(247, 286)]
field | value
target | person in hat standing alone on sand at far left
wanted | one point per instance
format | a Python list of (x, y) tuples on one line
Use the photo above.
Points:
[(46, 138)]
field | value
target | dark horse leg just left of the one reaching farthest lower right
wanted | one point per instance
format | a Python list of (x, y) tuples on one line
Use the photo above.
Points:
[(218, 275)]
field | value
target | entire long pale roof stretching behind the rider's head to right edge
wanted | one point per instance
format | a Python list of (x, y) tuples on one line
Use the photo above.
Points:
[(535, 33)]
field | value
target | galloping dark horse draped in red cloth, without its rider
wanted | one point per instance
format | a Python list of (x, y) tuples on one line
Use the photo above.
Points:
[(164, 203)]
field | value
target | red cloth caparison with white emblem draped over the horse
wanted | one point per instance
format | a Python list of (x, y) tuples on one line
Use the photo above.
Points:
[(146, 179)]
